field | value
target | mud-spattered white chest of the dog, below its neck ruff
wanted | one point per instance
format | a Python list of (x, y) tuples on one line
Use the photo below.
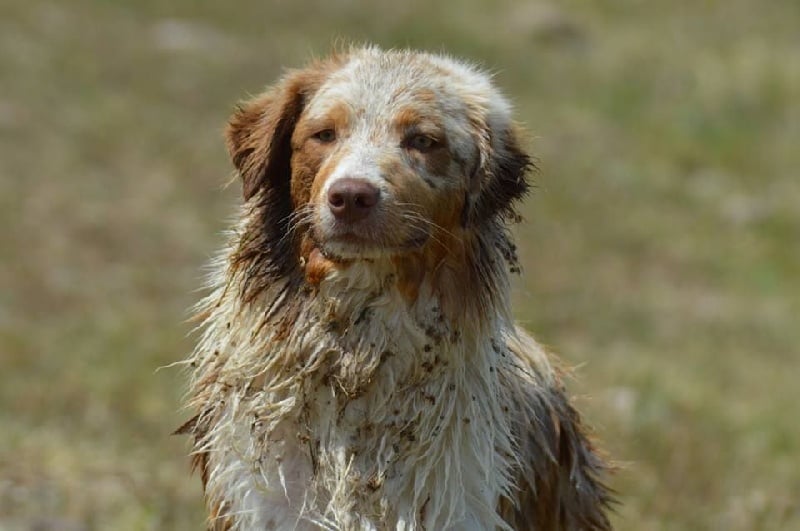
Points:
[(397, 425)]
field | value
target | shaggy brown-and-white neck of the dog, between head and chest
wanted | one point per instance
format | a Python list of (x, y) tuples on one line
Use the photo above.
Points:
[(452, 296)]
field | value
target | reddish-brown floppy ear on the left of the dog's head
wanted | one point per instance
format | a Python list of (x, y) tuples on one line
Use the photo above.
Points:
[(259, 132)]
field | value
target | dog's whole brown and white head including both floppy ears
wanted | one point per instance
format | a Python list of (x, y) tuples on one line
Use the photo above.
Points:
[(373, 154)]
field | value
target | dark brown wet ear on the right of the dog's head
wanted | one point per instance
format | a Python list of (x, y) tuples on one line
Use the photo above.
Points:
[(499, 177)]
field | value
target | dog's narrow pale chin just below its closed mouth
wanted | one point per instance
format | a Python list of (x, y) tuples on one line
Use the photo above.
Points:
[(350, 247)]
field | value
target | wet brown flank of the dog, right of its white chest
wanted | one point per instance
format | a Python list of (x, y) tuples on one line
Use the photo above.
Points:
[(559, 477)]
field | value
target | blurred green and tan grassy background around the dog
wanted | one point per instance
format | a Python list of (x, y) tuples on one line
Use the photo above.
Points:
[(661, 247)]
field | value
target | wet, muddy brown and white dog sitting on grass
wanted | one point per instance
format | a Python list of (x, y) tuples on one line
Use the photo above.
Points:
[(359, 367)]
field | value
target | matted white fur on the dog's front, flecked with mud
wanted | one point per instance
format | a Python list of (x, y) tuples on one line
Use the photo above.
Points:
[(457, 474)]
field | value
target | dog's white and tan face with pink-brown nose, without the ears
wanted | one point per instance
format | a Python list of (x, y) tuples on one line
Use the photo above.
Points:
[(380, 165)]
